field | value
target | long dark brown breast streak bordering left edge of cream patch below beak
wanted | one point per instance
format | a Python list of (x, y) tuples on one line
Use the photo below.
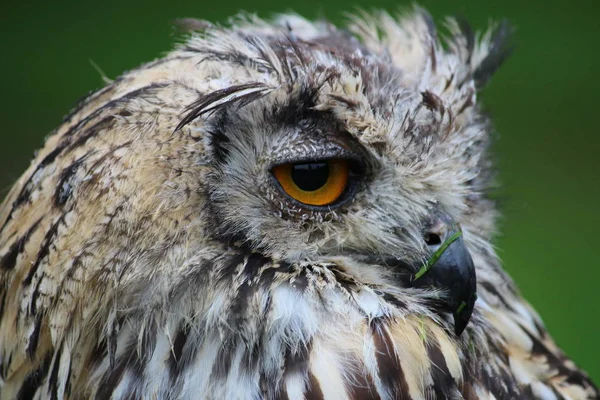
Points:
[(390, 369)]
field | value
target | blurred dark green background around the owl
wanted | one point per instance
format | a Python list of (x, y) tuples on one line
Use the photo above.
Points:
[(543, 101)]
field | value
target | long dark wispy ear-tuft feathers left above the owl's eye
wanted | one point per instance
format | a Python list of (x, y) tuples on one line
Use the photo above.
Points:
[(205, 104)]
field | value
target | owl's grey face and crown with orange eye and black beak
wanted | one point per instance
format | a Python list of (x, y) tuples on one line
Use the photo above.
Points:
[(362, 147)]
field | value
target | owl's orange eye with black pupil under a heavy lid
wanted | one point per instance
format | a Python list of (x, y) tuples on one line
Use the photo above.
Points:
[(317, 183)]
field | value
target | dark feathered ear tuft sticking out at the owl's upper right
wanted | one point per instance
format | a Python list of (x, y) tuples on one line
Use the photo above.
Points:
[(495, 47)]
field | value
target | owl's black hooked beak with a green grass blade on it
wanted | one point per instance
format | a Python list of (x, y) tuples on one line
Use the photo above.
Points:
[(451, 269)]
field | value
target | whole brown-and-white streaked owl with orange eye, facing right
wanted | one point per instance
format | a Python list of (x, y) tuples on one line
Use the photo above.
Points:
[(275, 209)]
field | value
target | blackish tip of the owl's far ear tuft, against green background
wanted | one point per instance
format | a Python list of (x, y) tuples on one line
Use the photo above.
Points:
[(499, 51)]
